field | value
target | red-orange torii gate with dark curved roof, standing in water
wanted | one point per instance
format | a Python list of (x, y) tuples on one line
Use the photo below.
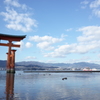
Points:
[(11, 53)]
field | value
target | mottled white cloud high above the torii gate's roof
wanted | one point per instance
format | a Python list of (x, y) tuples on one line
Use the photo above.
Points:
[(18, 21)]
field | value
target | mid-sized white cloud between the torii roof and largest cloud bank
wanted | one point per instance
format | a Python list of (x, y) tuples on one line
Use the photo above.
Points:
[(45, 42)]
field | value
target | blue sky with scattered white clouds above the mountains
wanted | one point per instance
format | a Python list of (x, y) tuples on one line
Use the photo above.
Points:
[(58, 31)]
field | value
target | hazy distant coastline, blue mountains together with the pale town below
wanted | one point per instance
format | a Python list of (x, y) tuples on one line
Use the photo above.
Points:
[(33, 65)]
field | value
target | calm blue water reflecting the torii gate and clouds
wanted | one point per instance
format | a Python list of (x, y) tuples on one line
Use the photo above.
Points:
[(49, 86)]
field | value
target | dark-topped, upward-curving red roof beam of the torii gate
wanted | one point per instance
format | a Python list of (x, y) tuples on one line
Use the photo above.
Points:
[(11, 37)]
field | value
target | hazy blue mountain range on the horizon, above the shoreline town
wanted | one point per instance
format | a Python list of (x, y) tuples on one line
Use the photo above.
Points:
[(41, 64)]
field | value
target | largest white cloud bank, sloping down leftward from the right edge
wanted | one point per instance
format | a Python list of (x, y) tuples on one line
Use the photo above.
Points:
[(88, 41)]
